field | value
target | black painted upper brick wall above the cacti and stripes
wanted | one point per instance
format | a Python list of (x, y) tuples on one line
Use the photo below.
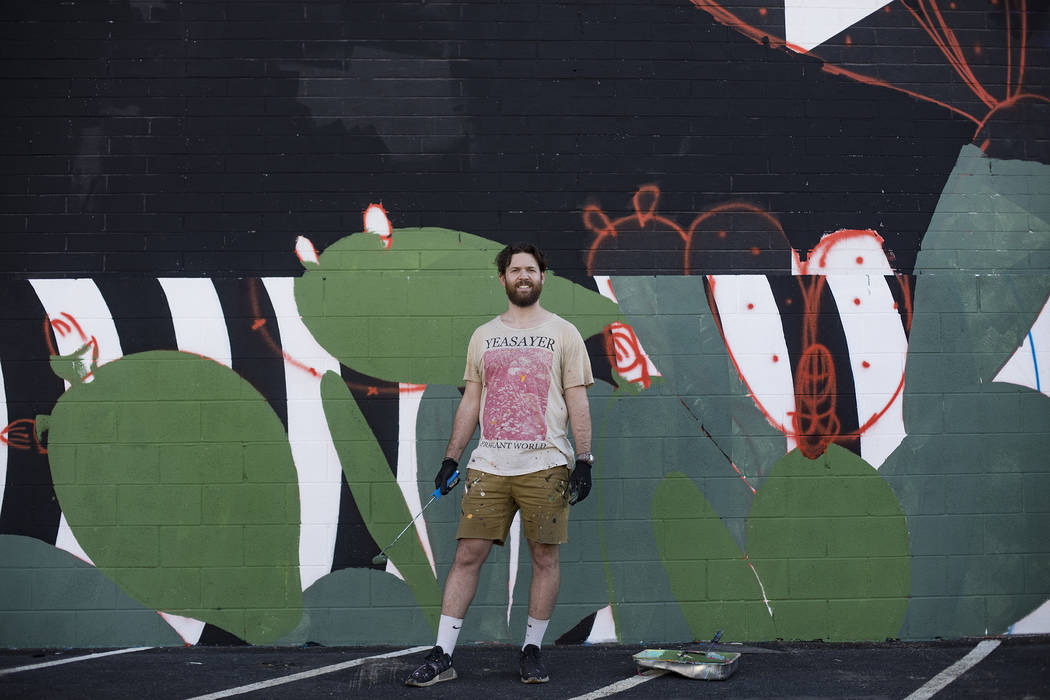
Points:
[(156, 138)]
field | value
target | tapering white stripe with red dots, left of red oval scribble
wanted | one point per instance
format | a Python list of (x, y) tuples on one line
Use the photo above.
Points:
[(755, 338)]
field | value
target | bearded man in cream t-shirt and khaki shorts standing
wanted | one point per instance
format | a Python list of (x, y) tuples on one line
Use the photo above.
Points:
[(528, 374)]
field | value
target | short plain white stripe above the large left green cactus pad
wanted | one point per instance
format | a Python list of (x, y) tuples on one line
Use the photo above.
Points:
[(198, 319)]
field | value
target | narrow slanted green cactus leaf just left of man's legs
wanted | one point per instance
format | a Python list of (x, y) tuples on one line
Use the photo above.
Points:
[(376, 493)]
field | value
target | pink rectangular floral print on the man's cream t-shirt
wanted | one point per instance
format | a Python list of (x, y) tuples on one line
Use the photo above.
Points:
[(518, 381)]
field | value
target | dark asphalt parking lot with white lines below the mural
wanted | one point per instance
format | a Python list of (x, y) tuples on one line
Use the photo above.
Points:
[(995, 668)]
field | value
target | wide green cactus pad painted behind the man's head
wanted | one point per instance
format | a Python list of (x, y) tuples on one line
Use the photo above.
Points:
[(407, 314)]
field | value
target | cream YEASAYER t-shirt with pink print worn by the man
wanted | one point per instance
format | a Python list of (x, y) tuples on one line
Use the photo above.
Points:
[(523, 375)]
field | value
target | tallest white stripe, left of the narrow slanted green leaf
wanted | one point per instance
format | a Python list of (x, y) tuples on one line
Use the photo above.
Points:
[(313, 452)]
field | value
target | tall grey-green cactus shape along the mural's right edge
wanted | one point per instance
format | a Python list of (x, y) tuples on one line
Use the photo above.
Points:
[(973, 473)]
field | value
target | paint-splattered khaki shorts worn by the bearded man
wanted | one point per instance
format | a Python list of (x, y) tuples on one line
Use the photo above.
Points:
[(490, 504)]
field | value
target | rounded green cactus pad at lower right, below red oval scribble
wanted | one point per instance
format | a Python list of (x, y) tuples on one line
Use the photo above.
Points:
[(830, 543)]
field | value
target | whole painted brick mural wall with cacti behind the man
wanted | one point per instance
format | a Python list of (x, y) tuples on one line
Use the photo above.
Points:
[(245, 246)]
